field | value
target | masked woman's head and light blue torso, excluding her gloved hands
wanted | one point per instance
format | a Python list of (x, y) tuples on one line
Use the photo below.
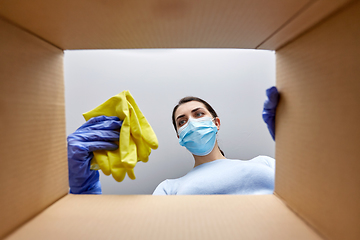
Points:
[(197, 125)]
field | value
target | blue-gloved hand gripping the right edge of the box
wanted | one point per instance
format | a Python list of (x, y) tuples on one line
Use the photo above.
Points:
[(269, 111)]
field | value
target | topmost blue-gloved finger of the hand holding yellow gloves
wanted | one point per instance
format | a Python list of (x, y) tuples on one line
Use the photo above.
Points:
[(101, 123)]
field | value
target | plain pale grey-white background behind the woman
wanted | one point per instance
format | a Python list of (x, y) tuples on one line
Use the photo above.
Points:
[(233, 81)]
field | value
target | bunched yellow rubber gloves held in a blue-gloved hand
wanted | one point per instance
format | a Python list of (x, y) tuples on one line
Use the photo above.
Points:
[(136, 137)]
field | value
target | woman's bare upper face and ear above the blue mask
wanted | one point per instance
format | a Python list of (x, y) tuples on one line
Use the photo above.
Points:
[(192, 109)]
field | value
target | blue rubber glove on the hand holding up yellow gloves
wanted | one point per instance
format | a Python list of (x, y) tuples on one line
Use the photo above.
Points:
[(99, 133)]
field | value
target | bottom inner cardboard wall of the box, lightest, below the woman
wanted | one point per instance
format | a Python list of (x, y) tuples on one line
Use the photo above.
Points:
[(166, 217)]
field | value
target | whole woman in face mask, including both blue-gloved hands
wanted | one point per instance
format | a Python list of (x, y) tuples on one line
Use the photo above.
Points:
[(196, 124)]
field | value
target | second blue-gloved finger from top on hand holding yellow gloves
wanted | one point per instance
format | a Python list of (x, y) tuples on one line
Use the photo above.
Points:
[(95, 135)]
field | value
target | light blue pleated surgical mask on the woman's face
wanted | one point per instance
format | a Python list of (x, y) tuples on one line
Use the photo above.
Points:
[(198, 135)]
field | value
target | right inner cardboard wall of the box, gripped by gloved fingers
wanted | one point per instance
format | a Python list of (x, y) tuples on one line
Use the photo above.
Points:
[(317, 128)]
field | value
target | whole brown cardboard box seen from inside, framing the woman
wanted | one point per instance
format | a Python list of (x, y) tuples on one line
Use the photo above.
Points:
[(317, 132)]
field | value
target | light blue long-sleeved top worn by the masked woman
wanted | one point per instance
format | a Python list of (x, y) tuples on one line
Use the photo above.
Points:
[(224, 176)]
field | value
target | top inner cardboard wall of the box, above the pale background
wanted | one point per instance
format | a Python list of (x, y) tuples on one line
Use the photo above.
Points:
[(110, 24)]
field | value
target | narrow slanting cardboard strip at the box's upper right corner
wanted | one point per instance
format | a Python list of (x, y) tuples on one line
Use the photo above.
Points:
[(312, 13)]
